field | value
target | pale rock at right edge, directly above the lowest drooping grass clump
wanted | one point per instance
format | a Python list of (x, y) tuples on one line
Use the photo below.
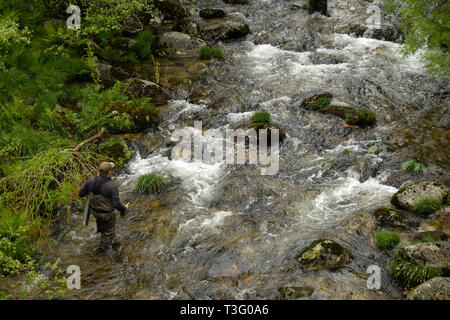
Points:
[(434, 254)]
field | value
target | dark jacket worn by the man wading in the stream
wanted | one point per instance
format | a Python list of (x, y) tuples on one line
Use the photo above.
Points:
[(102, 185)]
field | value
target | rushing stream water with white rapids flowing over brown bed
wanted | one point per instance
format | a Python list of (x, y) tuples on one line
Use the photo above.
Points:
[(226, 231)]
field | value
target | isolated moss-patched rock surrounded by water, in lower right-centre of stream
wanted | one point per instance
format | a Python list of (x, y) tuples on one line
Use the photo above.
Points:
[(324, 254)]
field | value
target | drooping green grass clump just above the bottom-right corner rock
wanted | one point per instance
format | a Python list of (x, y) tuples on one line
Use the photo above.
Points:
[(411, 274)]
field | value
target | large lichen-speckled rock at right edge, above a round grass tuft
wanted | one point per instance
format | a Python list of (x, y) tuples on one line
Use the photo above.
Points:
[(408, 196)]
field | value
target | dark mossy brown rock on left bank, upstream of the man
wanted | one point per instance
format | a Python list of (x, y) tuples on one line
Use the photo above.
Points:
[(142, 116)]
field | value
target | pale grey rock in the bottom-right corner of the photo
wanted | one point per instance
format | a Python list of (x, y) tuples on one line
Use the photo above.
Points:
[(434, 289)]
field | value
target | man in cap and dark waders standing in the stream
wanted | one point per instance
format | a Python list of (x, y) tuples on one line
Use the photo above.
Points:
[(104, 199)]
